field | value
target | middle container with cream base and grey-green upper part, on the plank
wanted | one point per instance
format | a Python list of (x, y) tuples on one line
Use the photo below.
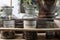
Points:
[(29, 18)]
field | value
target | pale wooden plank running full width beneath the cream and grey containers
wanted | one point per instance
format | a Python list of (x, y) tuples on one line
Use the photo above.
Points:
[(31, 29)]
